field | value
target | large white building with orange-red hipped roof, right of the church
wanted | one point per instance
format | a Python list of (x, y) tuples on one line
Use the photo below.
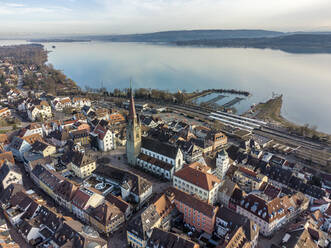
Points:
[(195, 179)]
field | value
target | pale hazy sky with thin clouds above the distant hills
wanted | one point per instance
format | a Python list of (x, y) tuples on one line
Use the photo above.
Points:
[(136, 16)]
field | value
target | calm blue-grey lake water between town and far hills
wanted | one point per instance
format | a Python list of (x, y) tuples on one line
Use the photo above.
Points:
[(303, 79)]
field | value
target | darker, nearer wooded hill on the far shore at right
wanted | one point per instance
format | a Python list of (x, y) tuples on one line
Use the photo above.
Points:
[(295, 43)]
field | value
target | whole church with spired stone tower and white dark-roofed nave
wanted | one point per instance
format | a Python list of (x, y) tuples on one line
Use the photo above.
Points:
[(159, 158)]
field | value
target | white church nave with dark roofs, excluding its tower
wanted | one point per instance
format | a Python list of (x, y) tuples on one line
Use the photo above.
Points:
[(159, 158)]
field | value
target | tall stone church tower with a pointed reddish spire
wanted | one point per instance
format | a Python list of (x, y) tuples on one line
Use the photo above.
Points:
[(133, 133)]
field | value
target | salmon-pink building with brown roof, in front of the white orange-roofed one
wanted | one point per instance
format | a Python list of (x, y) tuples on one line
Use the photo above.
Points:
[(197, 213)]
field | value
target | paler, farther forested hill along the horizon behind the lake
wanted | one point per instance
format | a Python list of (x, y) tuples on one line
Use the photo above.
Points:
[(186, 35)]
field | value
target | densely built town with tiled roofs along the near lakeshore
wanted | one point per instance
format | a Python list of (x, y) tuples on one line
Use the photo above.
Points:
[(100, 169)]
